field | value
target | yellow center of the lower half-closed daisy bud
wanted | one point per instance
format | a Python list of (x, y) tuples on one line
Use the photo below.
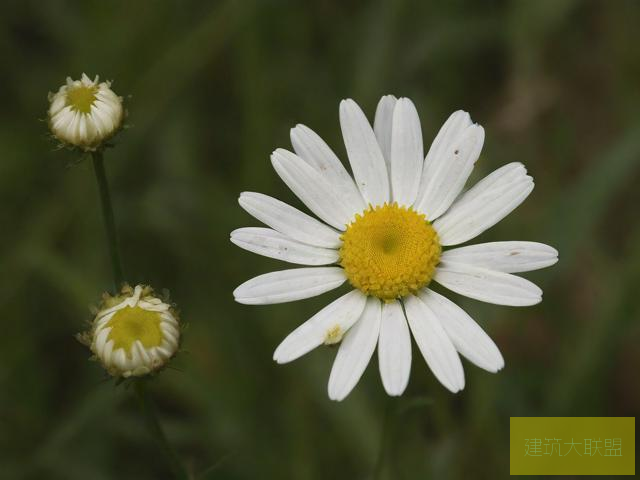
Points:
[(131, 324)]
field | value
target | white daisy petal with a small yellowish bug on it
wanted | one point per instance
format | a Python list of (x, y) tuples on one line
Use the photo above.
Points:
[(339, 315)]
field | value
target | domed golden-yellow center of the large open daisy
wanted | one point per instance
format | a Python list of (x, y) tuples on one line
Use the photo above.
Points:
[(389, 251)]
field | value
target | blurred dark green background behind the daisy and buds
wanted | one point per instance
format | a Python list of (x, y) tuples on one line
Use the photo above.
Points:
[(212, 88)]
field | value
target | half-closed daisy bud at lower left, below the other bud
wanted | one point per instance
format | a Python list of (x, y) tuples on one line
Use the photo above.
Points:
[(134, 333)]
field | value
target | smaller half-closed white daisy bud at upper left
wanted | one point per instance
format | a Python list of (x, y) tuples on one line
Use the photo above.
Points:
[(84, 113)]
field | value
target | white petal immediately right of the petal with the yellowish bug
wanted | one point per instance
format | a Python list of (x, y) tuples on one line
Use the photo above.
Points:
[(355, 351)]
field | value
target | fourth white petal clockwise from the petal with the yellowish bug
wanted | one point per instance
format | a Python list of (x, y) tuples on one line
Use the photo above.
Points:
[(314, 191)]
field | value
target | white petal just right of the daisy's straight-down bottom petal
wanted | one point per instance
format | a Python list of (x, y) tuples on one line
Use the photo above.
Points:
[(434, 343)]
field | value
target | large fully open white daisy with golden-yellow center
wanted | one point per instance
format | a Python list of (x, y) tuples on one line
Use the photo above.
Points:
[(387, 234)]
